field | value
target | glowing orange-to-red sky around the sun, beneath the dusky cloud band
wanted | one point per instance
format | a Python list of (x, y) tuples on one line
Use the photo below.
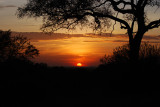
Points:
[(69, 52)]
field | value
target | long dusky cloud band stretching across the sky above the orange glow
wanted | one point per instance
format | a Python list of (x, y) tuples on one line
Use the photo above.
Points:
[(36, 36)]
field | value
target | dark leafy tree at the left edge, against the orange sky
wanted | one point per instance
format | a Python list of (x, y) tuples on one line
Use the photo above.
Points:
[(15, 47)]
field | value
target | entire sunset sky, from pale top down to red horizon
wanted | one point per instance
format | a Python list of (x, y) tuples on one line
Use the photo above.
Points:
[(65, 50)]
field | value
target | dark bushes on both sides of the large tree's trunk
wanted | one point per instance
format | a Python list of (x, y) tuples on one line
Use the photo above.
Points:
[(148, 54)]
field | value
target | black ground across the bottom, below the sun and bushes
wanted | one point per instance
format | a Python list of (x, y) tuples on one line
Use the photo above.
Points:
[(28, 85)]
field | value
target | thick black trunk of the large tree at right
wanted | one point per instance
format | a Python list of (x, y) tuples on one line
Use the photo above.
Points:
[(135, 41)]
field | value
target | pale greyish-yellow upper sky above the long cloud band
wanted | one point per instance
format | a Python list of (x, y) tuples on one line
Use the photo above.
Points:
[(9, 20)]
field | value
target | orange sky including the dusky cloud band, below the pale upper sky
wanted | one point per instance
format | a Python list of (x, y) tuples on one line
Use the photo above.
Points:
[(68, 50)]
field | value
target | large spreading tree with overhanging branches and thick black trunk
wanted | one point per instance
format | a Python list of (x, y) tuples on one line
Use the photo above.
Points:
[(130, 14)]
